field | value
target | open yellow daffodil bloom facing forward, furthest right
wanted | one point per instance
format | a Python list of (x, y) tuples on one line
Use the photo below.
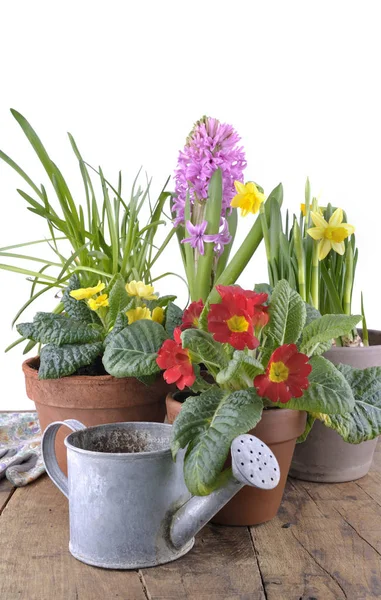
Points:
[(330, 235)]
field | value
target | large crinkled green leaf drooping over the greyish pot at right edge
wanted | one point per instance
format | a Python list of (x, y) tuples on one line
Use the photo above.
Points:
[(363, 422)]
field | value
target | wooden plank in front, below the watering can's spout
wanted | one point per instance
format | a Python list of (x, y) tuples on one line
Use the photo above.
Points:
[(221, 566)]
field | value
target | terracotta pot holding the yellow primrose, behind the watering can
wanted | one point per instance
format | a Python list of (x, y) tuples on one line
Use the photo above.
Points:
[(93, 400)]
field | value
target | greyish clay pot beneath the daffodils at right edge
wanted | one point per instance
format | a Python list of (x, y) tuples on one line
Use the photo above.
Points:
[(324, 456)]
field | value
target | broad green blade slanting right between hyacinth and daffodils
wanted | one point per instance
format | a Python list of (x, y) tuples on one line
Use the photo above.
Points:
[(245, 252)]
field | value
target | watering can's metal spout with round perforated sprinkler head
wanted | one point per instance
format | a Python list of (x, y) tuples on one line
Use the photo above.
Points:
[(253, 464)]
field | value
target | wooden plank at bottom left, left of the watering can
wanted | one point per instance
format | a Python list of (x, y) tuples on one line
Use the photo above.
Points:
[(35, 562)]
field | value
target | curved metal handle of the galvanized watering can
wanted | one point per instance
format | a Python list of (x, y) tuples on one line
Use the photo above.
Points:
[(49, 453)]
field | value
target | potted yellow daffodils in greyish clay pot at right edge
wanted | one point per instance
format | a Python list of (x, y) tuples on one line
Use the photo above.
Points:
[(317, 254)]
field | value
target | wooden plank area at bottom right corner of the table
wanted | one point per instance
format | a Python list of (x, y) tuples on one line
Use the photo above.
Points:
[(320, 553)]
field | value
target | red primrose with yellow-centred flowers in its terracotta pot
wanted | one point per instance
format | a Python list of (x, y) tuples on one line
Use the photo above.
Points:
[(266, 373)]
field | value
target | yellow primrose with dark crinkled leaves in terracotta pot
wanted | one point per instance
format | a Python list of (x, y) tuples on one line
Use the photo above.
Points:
[(68, 380)]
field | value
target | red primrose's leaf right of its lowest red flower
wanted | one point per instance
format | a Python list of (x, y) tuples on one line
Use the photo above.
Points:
[(328, 392)]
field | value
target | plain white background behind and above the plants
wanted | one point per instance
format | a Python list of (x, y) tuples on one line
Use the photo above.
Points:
[(300, 81)]
